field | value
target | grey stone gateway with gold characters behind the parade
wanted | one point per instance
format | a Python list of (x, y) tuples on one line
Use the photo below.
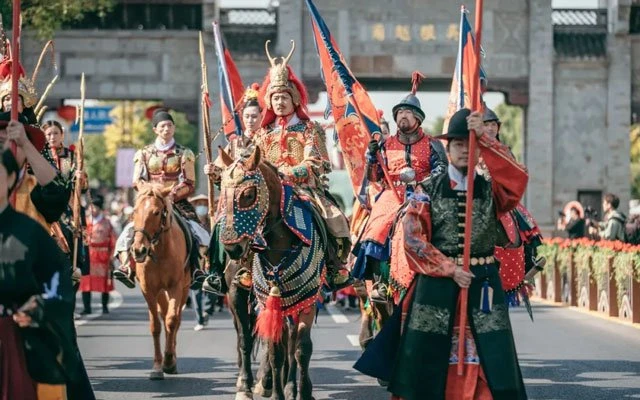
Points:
[(572, 71)]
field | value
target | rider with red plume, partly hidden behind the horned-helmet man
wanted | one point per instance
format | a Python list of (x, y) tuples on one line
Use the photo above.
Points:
[(237, 147)]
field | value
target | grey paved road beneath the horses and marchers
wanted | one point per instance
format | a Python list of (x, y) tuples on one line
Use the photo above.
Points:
[(565, 354)]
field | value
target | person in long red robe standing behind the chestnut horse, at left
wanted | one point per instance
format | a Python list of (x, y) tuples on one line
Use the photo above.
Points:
[(102, 242)]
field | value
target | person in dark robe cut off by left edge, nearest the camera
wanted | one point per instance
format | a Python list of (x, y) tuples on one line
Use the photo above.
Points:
[(37, 354)]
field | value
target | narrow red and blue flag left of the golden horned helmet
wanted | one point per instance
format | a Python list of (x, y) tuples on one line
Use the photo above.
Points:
[(231, 87)]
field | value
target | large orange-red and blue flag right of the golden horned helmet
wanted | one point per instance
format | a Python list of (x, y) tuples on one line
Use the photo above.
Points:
[(346, 97)]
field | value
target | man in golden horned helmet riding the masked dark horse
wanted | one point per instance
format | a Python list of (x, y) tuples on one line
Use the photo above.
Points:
[(297, 147)]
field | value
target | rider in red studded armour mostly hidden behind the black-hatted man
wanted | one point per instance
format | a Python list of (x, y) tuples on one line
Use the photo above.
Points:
[(518, 259)]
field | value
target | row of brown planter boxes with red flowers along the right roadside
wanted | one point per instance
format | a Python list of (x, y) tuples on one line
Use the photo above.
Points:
[(601, 276)]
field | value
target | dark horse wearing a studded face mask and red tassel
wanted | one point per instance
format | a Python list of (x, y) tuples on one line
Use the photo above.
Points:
[(286, 273)]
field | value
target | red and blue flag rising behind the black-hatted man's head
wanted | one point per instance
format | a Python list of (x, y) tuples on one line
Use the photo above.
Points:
[(460, 95)]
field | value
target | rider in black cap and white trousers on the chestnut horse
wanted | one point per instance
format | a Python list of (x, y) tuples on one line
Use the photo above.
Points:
[(172, 165)]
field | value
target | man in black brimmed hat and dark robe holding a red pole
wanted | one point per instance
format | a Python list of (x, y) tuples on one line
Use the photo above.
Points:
[(433, 224)]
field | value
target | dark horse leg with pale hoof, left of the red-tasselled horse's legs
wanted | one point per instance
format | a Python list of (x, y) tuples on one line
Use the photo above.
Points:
[(239, 307)]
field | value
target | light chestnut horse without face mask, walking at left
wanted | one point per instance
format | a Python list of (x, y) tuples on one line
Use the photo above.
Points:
[(160, 252)]
